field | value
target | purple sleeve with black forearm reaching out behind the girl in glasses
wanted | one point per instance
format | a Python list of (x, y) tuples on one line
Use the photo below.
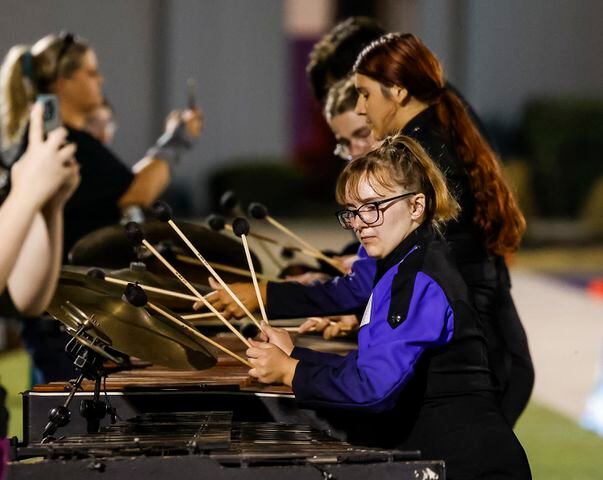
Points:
[(337, 296)]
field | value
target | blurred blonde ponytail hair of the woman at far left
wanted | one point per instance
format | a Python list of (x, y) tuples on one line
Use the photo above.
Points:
[(19, 86)]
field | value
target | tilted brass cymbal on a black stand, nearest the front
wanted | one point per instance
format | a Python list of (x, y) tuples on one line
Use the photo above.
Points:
[(127, 329)]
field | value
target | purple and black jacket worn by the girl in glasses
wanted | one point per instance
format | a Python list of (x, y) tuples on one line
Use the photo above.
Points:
[(418, 313)]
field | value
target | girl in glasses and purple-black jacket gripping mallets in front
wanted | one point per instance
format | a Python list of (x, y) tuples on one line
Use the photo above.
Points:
[(419, 379)]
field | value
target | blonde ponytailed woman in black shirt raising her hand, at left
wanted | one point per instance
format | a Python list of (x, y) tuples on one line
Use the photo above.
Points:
[(66, 66)]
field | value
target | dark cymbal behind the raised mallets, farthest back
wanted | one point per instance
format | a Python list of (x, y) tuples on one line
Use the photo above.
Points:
[(109, 248)]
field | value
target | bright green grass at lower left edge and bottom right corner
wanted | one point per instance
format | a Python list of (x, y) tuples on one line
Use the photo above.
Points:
[(558, 449)]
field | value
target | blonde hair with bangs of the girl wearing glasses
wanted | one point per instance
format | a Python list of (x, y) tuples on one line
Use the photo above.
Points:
[(401, 162)]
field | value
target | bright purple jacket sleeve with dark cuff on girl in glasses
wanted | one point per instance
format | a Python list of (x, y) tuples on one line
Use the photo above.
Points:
[(373, 377)]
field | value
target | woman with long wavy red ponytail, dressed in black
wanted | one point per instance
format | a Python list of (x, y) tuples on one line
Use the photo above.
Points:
[(402, 88)]
